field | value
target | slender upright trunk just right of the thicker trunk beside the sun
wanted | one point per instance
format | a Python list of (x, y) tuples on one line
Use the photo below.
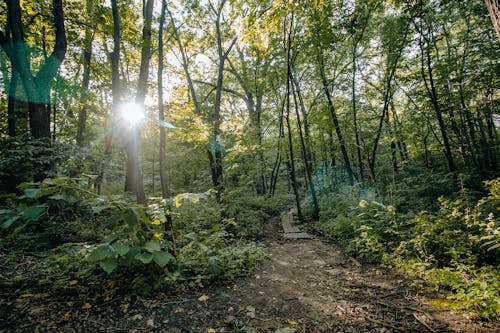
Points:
[(165, 191)]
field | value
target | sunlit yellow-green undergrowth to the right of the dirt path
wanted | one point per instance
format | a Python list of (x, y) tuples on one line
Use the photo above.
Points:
[(453, 245)]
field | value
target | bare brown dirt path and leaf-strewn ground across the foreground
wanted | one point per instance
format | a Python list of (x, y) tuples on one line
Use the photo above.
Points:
[(308, 285)]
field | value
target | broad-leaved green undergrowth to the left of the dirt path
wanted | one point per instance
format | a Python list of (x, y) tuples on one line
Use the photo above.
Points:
[(84, 239)]
